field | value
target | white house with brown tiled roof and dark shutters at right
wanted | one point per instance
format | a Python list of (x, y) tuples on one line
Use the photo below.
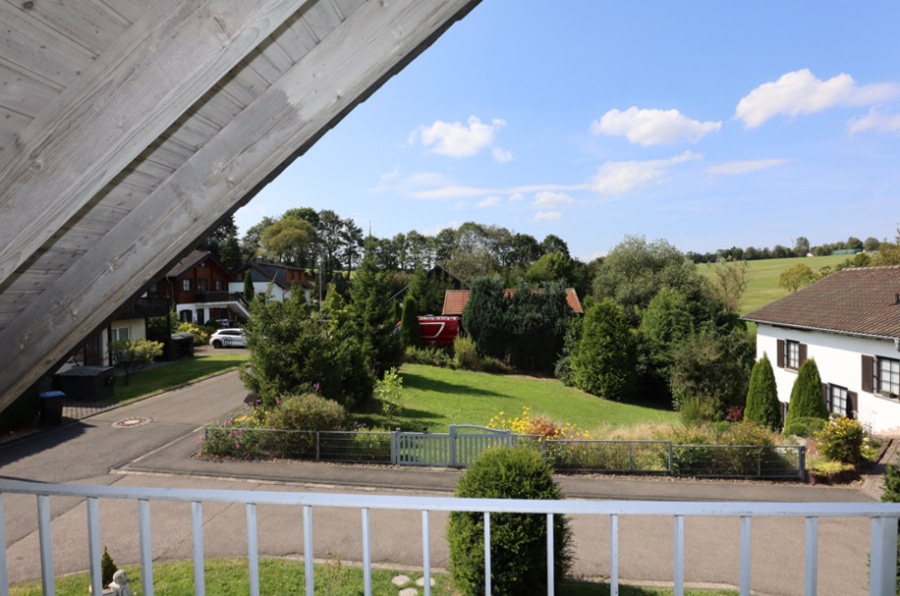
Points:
[(849, 322)]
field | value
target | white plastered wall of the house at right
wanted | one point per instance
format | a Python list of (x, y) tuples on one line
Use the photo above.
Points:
[(839, 360)]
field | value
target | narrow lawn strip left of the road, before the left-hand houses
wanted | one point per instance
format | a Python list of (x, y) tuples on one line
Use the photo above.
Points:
[(173, 374)]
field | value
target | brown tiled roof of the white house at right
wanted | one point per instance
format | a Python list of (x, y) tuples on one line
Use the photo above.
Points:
[(862, 301)]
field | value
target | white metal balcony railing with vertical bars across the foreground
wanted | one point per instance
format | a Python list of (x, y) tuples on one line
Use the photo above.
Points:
[(883, 528)]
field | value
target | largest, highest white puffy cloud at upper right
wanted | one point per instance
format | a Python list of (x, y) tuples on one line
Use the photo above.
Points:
[(800, 92)]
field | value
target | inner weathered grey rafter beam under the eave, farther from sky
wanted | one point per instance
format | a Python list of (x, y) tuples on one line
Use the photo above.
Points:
[(119, 106)]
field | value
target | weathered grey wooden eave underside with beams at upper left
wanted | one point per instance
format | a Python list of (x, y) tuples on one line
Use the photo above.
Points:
[(117, 152)]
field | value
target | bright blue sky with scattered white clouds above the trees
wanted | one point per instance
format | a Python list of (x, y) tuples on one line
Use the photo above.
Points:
[(709, 124)]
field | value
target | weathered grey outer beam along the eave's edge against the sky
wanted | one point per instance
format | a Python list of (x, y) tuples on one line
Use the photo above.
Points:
[(349, 65)]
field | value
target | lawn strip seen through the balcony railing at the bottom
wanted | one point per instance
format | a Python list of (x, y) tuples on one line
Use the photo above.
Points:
[(225, 577)]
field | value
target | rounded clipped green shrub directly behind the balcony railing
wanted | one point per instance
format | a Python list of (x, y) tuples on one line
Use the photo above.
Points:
[(518, 541)]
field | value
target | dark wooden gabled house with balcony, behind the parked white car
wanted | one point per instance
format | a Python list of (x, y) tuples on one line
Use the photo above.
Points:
[(197, 287)]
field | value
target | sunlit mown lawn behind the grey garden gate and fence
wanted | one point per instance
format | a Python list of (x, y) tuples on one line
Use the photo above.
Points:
[(438, 397)]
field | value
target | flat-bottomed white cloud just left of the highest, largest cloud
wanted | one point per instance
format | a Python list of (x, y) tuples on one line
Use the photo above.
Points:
[(652, 127)]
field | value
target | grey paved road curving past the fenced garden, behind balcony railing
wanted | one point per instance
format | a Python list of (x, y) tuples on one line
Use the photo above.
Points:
[(157, 452)]
